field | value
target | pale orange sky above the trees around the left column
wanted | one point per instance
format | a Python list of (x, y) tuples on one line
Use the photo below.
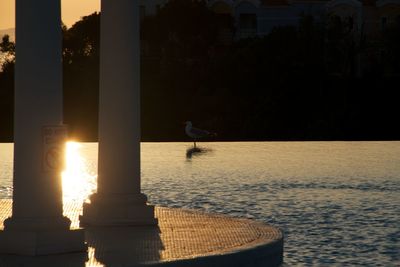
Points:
[(72, 11)]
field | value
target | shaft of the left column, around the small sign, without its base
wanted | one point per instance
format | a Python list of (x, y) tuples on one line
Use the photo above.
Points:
[(38, 102)]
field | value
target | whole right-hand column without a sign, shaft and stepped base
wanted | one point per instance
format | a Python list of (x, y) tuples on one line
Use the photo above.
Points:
[(119, 200)]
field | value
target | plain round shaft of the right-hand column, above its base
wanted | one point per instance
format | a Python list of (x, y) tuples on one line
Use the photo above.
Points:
[(119, 107)]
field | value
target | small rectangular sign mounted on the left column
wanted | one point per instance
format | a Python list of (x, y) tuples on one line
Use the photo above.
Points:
[(54, 138)]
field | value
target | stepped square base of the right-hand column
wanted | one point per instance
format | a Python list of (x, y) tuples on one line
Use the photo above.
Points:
[(117, 210)]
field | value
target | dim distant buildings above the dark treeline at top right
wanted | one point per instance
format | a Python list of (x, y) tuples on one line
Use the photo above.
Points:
[(259, 17)]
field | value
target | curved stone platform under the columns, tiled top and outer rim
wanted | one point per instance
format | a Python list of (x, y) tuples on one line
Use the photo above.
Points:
[(182, 238)]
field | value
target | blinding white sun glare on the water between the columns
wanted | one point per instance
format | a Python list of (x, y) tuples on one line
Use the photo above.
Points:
[(77, 182)]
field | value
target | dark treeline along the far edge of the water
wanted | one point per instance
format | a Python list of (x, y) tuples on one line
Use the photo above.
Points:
[(316, 81)]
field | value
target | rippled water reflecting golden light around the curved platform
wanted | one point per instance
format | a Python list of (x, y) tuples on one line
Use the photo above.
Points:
[(338, 203)]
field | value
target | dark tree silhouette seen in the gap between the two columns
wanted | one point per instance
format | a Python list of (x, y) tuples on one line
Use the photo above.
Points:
[(81, 76)]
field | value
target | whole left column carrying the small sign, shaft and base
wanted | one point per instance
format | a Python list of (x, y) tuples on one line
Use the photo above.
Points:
[(37, 225)]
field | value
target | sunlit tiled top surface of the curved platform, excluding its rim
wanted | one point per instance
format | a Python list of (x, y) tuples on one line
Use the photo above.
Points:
[(181, 234)]
